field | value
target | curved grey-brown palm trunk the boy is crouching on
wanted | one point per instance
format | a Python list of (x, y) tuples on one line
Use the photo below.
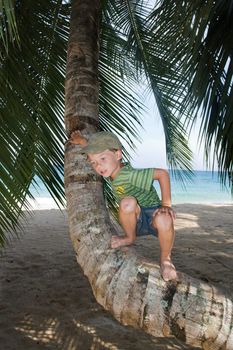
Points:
[(130, 288)]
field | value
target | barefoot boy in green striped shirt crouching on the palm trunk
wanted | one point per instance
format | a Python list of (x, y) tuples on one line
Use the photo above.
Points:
[(140, 209)]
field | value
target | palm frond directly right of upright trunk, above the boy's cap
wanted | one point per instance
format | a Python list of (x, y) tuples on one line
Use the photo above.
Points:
[(119, 105)]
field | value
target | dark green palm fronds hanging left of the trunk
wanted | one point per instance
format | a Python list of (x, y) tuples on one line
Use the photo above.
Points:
[(32, 108)]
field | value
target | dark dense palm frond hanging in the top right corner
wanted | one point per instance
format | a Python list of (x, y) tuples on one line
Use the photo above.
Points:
[(196, 37)]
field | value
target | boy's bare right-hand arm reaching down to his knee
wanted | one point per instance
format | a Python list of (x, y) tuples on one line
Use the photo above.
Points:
[(162, 176)]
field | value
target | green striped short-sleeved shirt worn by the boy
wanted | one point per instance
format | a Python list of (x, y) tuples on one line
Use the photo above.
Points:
[(137, 183)]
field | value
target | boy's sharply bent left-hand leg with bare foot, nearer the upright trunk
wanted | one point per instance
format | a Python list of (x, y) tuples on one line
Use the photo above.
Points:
[(129, 211)]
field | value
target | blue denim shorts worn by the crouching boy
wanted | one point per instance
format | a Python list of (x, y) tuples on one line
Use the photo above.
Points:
[(144, 222)]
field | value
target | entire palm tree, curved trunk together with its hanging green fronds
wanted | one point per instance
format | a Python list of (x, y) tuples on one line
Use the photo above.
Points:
[(123, 284)]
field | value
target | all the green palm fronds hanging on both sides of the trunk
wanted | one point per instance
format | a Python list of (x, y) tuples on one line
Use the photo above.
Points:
[(180, 51)]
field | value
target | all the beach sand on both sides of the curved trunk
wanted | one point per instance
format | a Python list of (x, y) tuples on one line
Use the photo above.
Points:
[(47, 303)]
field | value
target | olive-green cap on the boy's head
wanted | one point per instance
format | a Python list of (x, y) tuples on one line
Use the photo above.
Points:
[(101, 141)]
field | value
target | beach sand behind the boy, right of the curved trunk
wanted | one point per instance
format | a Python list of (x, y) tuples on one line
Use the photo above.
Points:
[(203, 244)]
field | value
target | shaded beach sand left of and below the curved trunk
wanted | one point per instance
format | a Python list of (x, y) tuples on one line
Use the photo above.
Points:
[(47, 303)]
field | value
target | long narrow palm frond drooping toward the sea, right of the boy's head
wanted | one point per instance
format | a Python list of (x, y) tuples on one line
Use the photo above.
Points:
[(130, 19)]
